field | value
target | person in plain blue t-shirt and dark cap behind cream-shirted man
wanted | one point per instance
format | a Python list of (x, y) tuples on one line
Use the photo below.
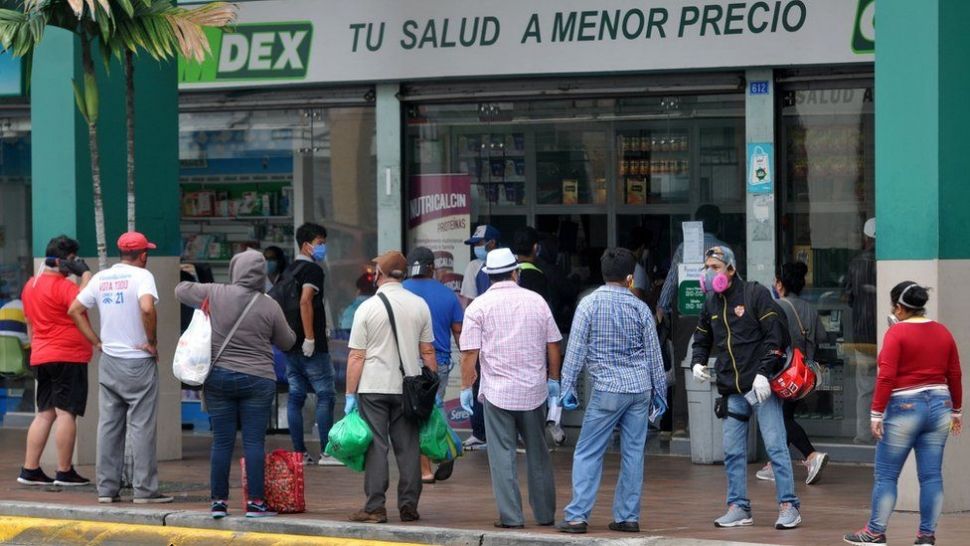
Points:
[(446, 319)]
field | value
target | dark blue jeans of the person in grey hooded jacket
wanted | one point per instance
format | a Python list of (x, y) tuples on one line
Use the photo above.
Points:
[(233, 398)]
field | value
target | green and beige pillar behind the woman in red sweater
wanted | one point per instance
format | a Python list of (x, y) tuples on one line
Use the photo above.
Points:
[(921, 177)]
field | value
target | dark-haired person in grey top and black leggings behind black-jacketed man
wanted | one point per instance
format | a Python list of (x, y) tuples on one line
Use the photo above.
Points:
[(807, 333)]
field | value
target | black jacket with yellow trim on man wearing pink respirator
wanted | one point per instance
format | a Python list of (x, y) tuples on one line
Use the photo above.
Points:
[(747, 341)]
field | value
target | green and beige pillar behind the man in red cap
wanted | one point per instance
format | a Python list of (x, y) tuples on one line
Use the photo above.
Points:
[(62, 194)]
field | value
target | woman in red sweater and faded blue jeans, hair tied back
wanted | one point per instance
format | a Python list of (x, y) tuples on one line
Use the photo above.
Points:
[(917, 403)]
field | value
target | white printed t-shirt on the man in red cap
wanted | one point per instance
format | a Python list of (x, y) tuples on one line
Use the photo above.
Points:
[(116, 291)]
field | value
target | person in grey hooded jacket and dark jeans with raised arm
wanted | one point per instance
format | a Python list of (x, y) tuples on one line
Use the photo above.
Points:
[(242, 383)]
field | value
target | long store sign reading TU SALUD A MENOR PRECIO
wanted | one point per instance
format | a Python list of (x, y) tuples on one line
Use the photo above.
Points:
[(389, 40)]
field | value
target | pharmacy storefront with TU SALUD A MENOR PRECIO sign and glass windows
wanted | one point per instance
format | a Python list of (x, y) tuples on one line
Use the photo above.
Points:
[(403, 123)]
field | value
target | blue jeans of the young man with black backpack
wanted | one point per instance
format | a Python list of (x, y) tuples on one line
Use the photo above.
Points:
[(305, 375)]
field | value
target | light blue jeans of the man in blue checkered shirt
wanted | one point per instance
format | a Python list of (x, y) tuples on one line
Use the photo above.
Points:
[(606, 411)]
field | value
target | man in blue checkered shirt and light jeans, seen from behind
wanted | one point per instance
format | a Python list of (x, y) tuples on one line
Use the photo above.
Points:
[(615, 338)]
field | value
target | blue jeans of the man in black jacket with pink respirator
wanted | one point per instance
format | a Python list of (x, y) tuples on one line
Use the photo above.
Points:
[(771, 421)]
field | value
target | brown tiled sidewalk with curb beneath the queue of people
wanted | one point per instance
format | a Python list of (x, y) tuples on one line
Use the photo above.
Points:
[(680, 502)]
